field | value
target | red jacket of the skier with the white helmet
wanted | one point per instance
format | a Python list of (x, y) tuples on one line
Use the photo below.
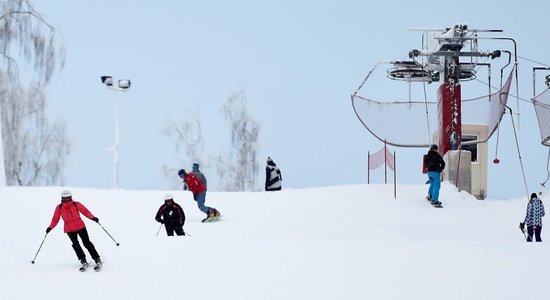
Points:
[(70, 212)]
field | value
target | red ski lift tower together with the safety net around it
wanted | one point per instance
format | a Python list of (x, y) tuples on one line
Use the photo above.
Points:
[(450, 56)]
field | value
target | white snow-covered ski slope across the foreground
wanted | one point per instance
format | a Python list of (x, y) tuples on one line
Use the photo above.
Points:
[(339, 242)]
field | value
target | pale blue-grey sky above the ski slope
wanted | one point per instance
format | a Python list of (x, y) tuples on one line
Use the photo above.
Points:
[(298, 63)]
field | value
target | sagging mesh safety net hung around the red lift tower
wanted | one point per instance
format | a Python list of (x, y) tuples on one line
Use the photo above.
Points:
[(413, 123)]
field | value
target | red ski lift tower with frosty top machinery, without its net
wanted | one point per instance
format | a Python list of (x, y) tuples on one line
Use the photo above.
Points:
[(450, 63)]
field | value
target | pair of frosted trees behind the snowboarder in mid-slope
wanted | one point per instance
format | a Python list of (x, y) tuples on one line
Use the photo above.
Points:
[(238, 169)]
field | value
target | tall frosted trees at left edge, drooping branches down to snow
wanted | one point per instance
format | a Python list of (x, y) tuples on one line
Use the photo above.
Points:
[(33, 150)]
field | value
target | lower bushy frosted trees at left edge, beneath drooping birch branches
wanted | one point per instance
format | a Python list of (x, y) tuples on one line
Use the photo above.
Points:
[(37, 150)]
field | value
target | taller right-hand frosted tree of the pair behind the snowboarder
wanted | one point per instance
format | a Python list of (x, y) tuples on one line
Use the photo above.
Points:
[(238, 170)]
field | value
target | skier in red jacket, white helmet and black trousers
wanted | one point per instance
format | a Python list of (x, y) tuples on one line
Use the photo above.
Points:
[(69, 211)]
